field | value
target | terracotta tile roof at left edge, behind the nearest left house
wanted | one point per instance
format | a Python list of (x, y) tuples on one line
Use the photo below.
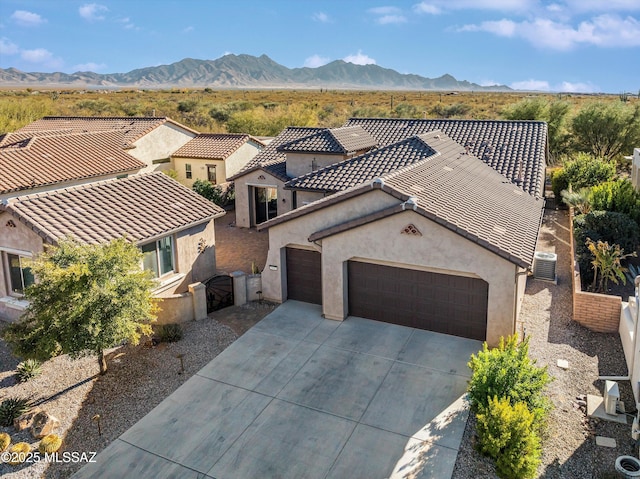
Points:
[(32, 161)]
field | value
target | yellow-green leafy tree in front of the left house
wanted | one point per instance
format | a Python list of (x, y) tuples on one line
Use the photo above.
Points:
[(87, 298)]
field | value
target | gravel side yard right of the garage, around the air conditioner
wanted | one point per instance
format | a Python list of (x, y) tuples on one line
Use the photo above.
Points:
[(569, 449)]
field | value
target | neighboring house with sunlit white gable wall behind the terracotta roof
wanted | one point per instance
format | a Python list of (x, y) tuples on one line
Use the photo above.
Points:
[(151, 140)]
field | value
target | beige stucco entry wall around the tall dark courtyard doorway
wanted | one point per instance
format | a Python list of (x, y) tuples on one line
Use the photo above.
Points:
[(244, 200)]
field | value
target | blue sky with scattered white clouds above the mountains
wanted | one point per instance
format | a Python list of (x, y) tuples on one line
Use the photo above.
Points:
[(557, 45)]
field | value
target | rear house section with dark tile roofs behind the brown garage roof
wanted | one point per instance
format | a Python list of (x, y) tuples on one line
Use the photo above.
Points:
[(271, 184)]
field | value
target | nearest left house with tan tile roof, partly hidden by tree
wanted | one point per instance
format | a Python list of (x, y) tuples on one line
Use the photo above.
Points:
[(173, 226)]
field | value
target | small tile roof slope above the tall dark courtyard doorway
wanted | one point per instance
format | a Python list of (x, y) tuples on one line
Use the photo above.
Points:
[(270, 159)]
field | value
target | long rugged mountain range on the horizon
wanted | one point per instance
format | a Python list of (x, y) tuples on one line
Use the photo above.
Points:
[(245, 71)]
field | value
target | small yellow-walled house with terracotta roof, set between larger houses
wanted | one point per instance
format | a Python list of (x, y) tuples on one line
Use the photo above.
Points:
[(214, 157)]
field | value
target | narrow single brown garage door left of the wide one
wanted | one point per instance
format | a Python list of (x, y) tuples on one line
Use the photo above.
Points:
[(304, 275)]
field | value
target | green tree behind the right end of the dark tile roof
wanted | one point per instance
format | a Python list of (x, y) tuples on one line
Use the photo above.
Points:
[(554, 113)]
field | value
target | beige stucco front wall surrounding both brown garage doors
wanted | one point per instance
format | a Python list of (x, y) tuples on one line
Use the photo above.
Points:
[(438, 250)]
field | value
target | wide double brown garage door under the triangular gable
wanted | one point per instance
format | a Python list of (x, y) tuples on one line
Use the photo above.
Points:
[(443, 303)]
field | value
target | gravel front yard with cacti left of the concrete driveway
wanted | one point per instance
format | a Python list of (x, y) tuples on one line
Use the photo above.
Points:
[(138, 379)]
